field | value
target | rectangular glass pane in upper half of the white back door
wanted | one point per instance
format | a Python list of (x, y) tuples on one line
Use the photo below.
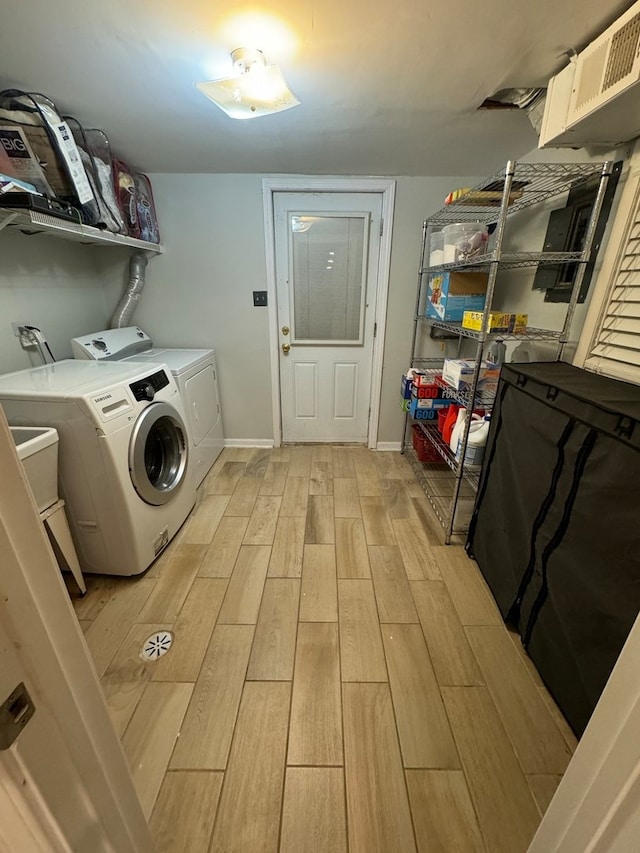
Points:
[(328, 277)]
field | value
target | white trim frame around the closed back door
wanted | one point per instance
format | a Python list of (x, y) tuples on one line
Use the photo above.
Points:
[(385, 187)]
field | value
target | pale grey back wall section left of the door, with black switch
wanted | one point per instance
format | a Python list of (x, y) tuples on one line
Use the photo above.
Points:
[(199, 293)]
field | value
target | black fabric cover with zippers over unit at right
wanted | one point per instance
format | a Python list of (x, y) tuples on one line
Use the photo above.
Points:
[(556, 524)]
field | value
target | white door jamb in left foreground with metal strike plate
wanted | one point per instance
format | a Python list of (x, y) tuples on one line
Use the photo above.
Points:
[(64, 777)]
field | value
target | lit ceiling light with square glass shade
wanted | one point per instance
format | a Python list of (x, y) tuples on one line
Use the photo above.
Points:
[(256, 89)]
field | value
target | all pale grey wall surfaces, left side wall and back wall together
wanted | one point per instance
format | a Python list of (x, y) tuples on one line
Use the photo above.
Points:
[(199, 293)]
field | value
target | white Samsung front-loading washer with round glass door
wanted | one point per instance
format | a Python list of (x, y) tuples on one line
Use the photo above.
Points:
[(123, 454)]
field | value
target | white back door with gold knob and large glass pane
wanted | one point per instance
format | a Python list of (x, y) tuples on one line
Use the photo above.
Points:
[(327, 254)]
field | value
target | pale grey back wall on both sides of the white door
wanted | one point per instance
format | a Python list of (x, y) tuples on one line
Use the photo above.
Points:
[(199, 293)]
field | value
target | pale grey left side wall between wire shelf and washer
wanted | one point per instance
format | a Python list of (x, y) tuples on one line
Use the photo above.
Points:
[(48, 283)]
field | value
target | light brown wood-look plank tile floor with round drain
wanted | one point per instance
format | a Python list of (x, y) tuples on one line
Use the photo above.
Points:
[(339, 679)]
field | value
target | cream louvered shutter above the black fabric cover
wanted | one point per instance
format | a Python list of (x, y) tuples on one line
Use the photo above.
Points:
[(615, 348)]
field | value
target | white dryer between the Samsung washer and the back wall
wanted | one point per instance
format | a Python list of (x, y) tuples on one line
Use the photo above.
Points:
[(196, 376)]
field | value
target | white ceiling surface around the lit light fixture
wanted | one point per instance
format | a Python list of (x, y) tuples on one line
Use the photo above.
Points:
[(387, 88)]
